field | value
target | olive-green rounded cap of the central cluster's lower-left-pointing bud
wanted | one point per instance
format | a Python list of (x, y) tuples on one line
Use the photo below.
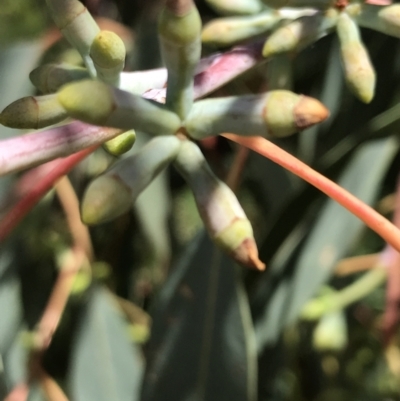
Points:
[(105, 199)]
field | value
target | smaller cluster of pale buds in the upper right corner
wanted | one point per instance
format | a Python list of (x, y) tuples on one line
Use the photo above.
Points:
[(297, 23)]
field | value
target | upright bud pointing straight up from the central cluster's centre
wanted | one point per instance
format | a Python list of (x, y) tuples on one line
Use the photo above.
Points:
[(179, 30)]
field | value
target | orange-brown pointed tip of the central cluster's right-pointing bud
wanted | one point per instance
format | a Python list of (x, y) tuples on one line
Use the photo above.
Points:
[(308, 112)]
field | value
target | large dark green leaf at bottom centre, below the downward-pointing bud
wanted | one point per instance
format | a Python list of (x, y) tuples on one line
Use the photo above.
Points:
[(201, 346)]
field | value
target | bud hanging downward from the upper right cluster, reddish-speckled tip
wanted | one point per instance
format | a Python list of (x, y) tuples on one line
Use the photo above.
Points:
[(359, 72)]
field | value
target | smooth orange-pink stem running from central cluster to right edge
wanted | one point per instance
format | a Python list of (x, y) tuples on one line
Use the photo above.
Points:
[(389, 232)]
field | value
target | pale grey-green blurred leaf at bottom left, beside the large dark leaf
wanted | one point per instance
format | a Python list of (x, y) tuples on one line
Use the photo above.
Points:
[(105, 365)]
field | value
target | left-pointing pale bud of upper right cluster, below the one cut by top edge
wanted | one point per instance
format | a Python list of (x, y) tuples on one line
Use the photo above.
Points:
[(228, 31)]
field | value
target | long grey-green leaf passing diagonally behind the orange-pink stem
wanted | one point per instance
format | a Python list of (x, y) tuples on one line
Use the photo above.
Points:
[(329, 241)]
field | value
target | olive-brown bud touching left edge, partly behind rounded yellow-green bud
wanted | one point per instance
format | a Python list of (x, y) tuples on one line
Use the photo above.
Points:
[(33, 112)]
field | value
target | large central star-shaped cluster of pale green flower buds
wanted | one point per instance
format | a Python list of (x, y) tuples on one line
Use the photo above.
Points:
[(103, 95)]
